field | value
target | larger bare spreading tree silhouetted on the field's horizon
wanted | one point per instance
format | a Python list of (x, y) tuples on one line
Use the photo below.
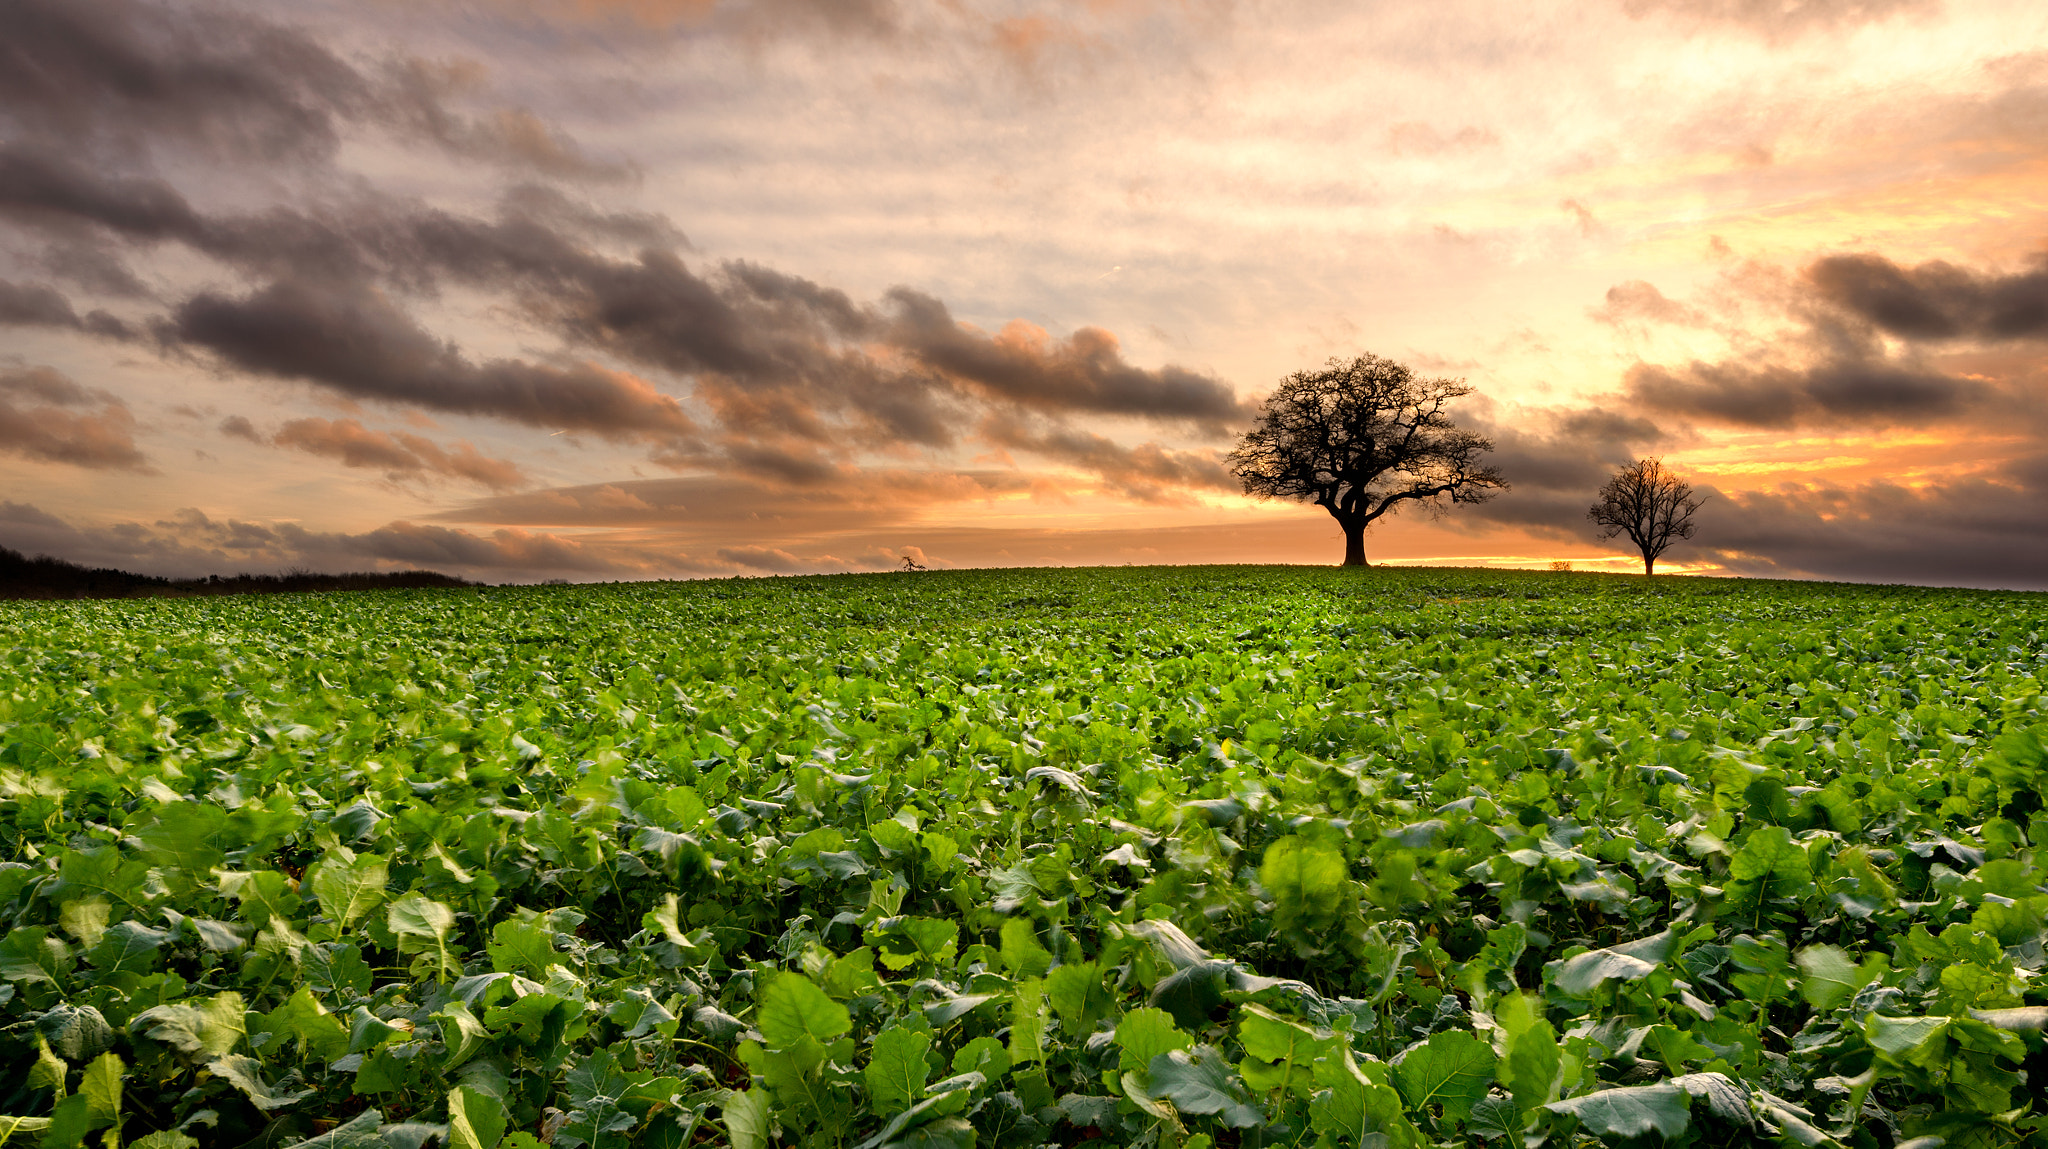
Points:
[(1361, 439)]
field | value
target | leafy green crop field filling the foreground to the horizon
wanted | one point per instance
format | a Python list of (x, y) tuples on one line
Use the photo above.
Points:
[(1170, 857)]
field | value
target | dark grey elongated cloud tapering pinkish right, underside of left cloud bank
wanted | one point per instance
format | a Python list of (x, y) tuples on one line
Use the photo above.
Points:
[(359, 345)]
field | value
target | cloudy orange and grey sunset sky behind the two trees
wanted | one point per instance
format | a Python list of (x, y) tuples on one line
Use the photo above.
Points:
[(624, 290)]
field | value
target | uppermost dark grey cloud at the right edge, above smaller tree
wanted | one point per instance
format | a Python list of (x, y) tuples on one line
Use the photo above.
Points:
[(1936, 300)]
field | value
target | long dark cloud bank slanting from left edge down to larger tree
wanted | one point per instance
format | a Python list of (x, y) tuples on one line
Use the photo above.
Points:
[(771, 355)]
